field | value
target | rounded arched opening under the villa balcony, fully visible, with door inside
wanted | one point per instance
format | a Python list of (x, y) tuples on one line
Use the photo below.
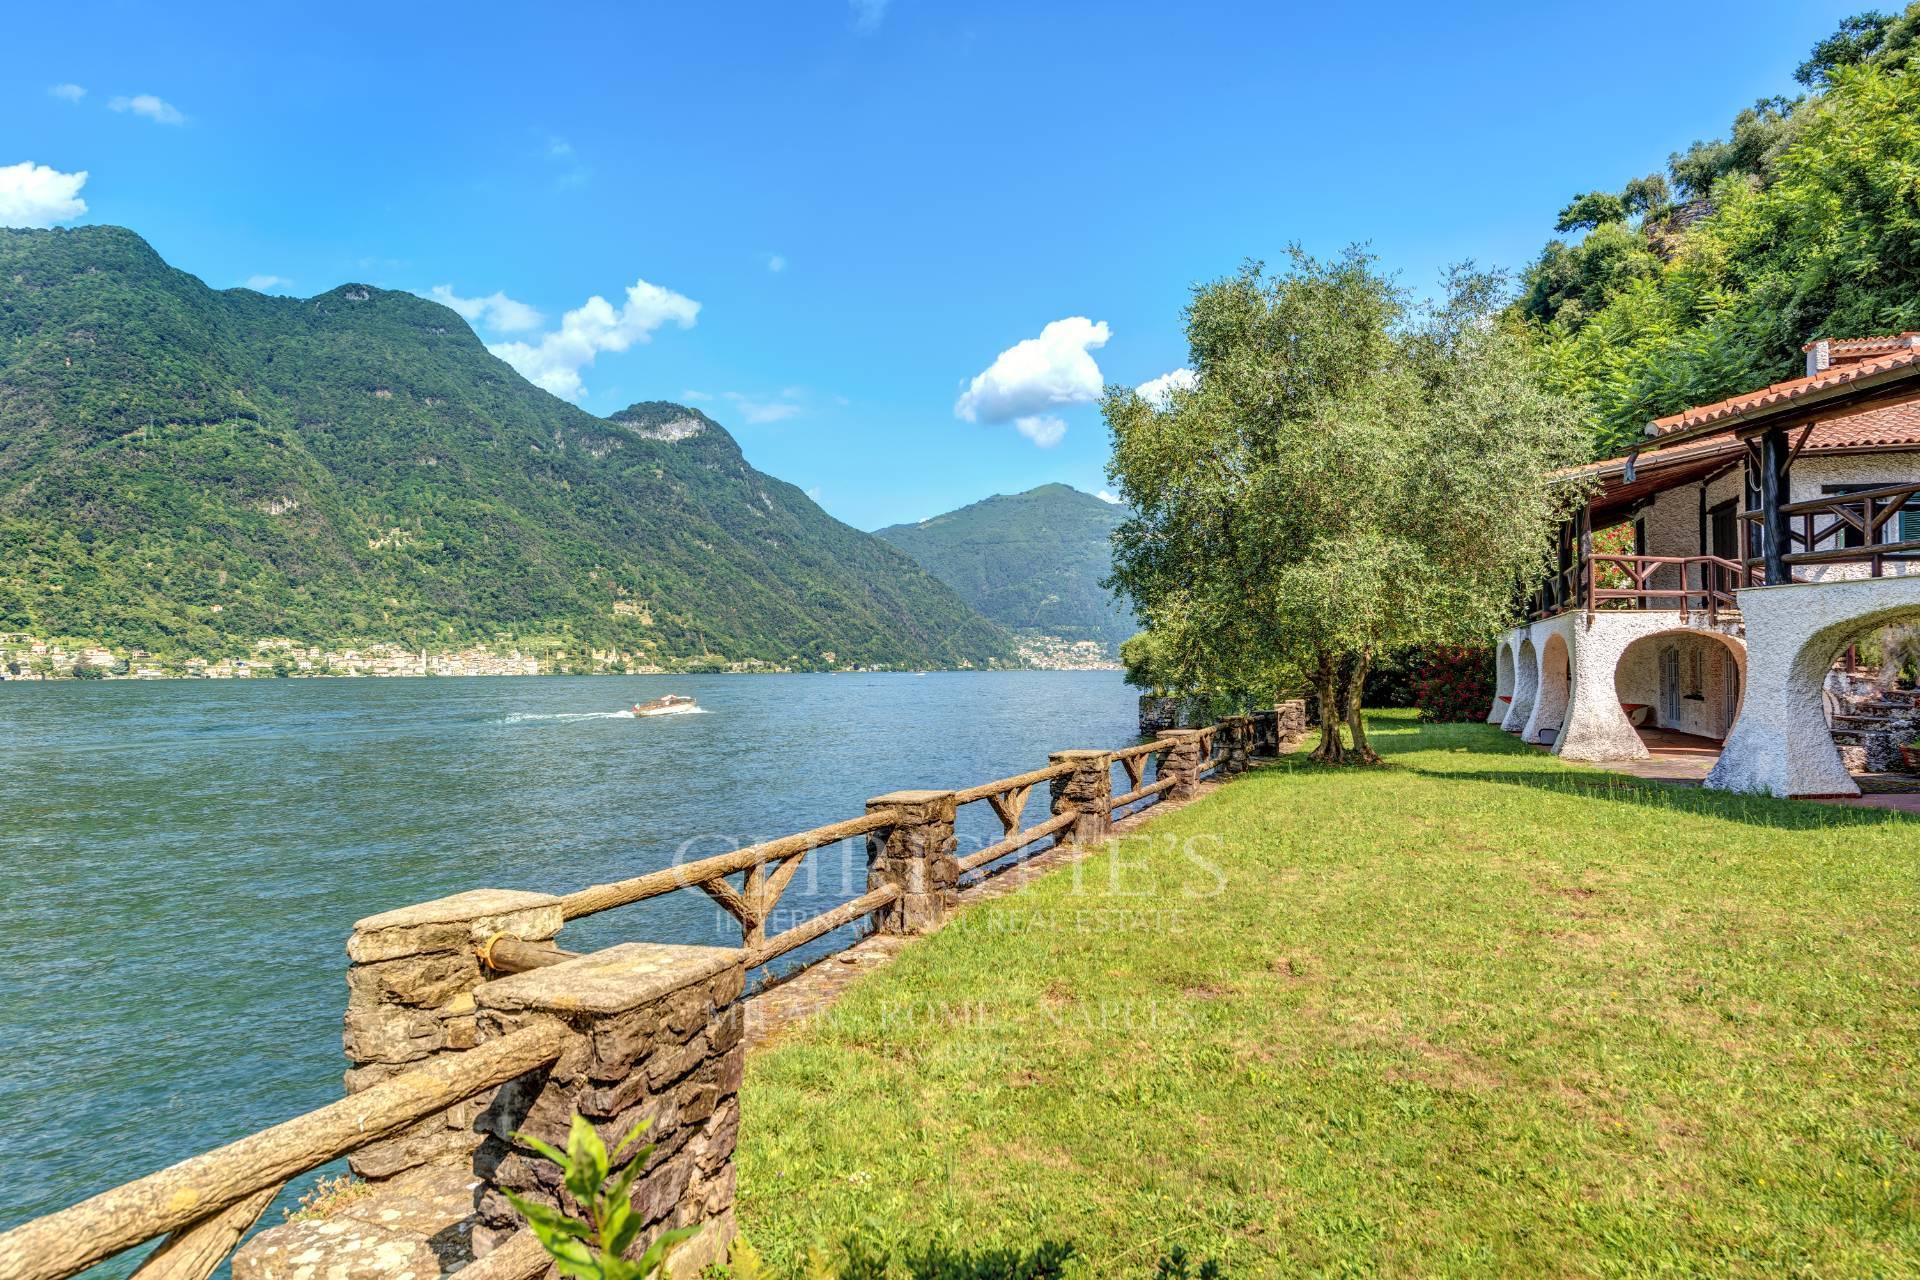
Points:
[(1683, 690)]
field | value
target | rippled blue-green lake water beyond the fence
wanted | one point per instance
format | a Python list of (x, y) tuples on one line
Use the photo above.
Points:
[(185, 859)]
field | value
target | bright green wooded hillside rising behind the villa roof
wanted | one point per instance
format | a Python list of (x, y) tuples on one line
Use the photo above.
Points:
[(1704, 279)]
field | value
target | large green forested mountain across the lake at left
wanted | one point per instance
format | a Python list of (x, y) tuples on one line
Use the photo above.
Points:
[(185, 471)]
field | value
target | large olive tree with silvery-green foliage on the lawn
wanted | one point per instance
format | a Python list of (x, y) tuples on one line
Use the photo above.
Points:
[(1349, 479)]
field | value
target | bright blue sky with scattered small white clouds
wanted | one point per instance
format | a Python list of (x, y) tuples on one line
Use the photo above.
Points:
[(836, 222)]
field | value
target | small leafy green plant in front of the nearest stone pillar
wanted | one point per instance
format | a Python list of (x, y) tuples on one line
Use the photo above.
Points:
[(596, 1248)]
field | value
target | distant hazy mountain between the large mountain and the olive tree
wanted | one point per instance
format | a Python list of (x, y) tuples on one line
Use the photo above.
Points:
[(1032, 561)]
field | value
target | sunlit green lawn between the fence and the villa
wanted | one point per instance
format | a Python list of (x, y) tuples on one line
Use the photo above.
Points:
[(1476, 1012)]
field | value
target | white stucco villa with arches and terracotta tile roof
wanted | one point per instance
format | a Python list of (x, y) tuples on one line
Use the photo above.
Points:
[(1716, 579)]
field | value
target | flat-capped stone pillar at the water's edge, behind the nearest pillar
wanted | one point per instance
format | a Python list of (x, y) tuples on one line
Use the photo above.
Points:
[(412, 997)]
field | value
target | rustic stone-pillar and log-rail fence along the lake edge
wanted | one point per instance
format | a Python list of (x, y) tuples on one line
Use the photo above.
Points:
[(469, 1022)]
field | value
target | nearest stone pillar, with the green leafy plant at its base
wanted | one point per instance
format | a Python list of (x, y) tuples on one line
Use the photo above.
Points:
[(660, 1043)]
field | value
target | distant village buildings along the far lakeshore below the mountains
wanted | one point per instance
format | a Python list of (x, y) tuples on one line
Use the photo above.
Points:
[(30, 657)]
